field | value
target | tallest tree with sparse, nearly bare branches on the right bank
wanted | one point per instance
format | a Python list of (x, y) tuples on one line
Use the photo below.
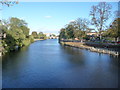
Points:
[(99, 15)]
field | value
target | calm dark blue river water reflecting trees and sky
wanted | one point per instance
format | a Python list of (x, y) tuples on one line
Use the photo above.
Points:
[(47, 64)]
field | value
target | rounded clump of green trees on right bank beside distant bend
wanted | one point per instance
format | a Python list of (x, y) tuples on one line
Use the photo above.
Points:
[(75, 29)]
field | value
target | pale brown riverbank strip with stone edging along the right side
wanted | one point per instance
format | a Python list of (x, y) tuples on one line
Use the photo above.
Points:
[(83, 45)]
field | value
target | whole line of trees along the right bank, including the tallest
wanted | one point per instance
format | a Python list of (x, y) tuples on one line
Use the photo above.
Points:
[(99, 15)]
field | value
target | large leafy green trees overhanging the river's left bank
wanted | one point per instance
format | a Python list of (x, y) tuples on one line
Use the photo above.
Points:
[(17, 34)]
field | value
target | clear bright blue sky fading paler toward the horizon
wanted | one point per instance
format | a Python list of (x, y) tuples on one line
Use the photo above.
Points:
[(50, 17)]
